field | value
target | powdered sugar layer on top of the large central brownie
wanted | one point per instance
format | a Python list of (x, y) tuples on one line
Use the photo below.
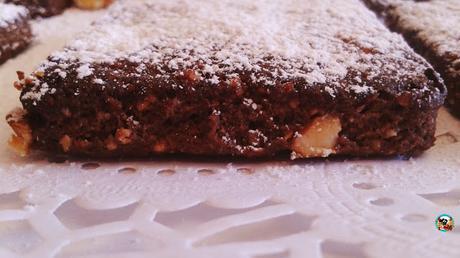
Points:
[(272, 41)]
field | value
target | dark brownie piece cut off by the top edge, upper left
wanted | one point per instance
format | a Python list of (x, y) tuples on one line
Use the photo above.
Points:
[(43, 8)]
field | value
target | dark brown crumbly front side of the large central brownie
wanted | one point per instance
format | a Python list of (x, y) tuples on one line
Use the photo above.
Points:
[(240, 119)]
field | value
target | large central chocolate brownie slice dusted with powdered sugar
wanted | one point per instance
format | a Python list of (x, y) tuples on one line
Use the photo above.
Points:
[(247, 78)]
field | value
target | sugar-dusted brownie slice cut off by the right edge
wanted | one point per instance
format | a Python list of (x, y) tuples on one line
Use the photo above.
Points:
[(432, 28)]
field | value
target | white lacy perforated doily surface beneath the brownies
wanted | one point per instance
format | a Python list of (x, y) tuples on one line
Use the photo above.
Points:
[(358, 209)]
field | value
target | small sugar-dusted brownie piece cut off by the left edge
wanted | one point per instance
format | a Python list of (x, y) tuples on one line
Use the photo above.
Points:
[(15, 32)]
